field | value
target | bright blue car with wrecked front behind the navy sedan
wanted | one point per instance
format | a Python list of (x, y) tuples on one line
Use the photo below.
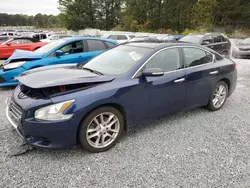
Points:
[(64, 51)]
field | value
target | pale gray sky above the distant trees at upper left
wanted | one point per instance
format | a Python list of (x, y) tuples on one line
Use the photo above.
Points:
[(30, 7)]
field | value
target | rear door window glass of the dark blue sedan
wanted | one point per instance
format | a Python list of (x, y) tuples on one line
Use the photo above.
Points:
[(194, 57)]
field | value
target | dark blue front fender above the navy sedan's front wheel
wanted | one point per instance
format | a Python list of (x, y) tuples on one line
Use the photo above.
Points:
[(105, 94)]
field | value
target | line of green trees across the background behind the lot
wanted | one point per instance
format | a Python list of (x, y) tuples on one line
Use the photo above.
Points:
[(142, 15)]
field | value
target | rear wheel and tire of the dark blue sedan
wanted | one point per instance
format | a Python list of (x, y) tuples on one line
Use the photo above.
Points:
[(213, 105)]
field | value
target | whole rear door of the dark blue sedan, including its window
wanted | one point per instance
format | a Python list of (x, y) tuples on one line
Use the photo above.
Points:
[(201, 76)]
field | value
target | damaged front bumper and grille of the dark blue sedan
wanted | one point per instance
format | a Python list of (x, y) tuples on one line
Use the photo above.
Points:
[(37, 133)]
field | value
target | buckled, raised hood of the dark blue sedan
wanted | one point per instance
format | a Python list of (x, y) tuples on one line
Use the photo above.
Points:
[(60, 75)]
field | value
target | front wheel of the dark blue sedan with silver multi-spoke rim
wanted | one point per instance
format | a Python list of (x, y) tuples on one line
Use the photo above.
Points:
[(99, 135)]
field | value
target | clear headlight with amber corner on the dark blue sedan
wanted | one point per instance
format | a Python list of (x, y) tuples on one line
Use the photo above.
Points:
[(54, 112)]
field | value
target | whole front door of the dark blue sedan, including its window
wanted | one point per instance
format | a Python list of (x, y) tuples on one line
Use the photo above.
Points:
[(165, 94)]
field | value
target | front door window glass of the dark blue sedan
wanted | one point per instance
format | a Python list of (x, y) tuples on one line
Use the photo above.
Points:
[(167, 60)]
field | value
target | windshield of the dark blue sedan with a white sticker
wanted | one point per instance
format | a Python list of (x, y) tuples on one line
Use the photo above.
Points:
[(117, 61)]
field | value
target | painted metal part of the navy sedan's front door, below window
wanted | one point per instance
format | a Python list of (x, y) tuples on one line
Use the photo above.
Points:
[(165, 94)]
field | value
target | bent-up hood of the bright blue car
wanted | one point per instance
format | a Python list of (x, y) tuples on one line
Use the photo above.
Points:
[(23, 55)]
